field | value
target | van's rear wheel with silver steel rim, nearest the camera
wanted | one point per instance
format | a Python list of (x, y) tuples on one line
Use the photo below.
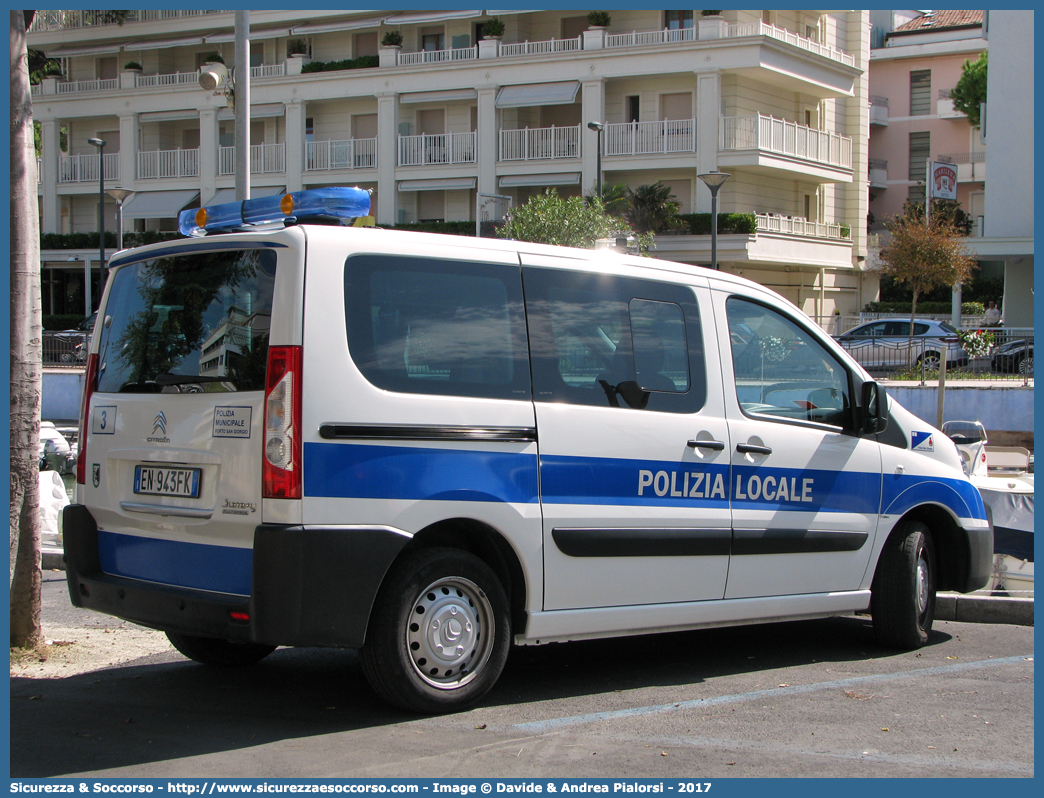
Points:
[(440, 635)]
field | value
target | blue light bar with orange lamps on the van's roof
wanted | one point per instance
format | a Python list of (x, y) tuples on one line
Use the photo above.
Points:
[(340, 204)]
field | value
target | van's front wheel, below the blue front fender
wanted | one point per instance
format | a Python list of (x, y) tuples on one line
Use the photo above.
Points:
[(904, 592)]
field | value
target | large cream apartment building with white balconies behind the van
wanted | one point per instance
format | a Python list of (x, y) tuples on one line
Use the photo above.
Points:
[(456, 126)]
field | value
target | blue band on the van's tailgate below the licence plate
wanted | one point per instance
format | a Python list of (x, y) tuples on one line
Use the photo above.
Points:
[(222, 570)]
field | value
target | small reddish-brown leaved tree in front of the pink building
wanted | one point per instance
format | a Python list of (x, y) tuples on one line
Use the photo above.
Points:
[(924, 256)]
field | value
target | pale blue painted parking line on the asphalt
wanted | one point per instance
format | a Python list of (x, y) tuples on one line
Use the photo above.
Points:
[(539, 727)]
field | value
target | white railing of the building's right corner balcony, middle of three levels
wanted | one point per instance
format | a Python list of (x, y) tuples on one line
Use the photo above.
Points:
[(768, 133)]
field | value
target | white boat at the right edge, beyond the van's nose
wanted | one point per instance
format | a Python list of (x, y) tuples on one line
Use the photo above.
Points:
[(1004, 477)]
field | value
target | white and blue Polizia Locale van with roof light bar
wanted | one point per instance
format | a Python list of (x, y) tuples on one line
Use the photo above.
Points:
[(431, 448)]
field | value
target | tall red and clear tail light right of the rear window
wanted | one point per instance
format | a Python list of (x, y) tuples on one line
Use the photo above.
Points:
[(281, 462)]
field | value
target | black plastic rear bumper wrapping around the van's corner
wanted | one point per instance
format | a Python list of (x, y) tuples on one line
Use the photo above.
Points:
[(311, 586)]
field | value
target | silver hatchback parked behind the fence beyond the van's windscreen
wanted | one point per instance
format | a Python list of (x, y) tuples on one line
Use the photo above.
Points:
[(886, 344)]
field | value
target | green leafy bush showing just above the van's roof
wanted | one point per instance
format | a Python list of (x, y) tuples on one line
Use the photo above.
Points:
[(566, 222)]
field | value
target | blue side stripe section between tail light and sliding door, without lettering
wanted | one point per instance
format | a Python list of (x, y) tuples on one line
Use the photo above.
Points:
[(347, 471)]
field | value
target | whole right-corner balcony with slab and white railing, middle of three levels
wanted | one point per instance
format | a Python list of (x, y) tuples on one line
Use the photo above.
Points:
[(795, 143)]
